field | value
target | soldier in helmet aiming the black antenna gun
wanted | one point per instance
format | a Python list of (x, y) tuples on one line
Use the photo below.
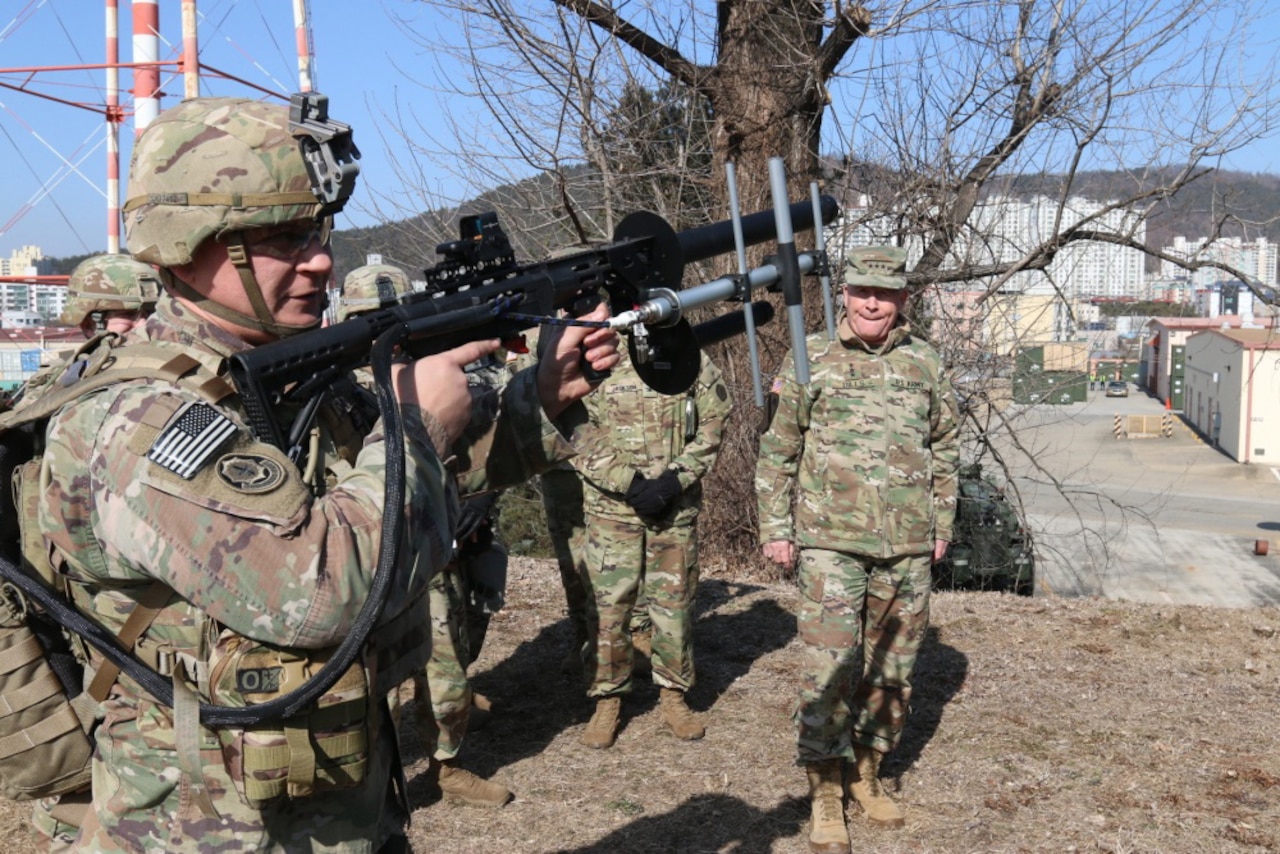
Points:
[(158, 492)]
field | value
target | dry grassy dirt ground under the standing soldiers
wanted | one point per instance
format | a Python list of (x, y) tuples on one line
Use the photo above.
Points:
[(1037, 725)]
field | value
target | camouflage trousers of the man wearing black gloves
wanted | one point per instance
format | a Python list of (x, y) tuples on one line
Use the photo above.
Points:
[(624, 561)]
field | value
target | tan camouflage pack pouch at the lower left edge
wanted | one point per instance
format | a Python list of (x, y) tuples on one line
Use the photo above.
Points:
[(44, 742)]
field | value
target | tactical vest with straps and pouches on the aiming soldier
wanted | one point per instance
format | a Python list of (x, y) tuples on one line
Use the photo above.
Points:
[(321, 750)]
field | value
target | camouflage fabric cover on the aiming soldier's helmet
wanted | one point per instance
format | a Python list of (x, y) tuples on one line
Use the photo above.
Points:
[(213, 166)]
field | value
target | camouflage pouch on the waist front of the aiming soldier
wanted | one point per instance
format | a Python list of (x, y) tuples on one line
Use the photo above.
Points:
[(323, 750)]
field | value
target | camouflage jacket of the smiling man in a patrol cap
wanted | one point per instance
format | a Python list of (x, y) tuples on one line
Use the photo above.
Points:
[(872, 445)]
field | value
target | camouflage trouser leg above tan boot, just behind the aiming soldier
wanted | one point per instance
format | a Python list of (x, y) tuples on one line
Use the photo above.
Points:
[(442, 691)]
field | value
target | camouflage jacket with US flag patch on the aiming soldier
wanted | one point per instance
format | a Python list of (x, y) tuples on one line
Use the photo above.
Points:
[(249, 547)]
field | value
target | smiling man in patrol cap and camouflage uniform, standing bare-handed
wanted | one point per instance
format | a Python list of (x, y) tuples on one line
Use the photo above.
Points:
[(871, 446)]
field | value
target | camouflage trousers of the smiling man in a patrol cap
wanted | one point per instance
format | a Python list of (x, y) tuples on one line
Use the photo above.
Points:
[(862, 622)]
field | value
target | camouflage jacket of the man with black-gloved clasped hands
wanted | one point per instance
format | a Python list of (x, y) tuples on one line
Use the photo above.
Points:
[(638, 431)]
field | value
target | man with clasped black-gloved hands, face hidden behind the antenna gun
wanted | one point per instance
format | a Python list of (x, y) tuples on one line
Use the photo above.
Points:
[(642, 496)]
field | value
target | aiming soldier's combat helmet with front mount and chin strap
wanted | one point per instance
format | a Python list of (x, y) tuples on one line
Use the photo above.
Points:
[(216, 167)]
